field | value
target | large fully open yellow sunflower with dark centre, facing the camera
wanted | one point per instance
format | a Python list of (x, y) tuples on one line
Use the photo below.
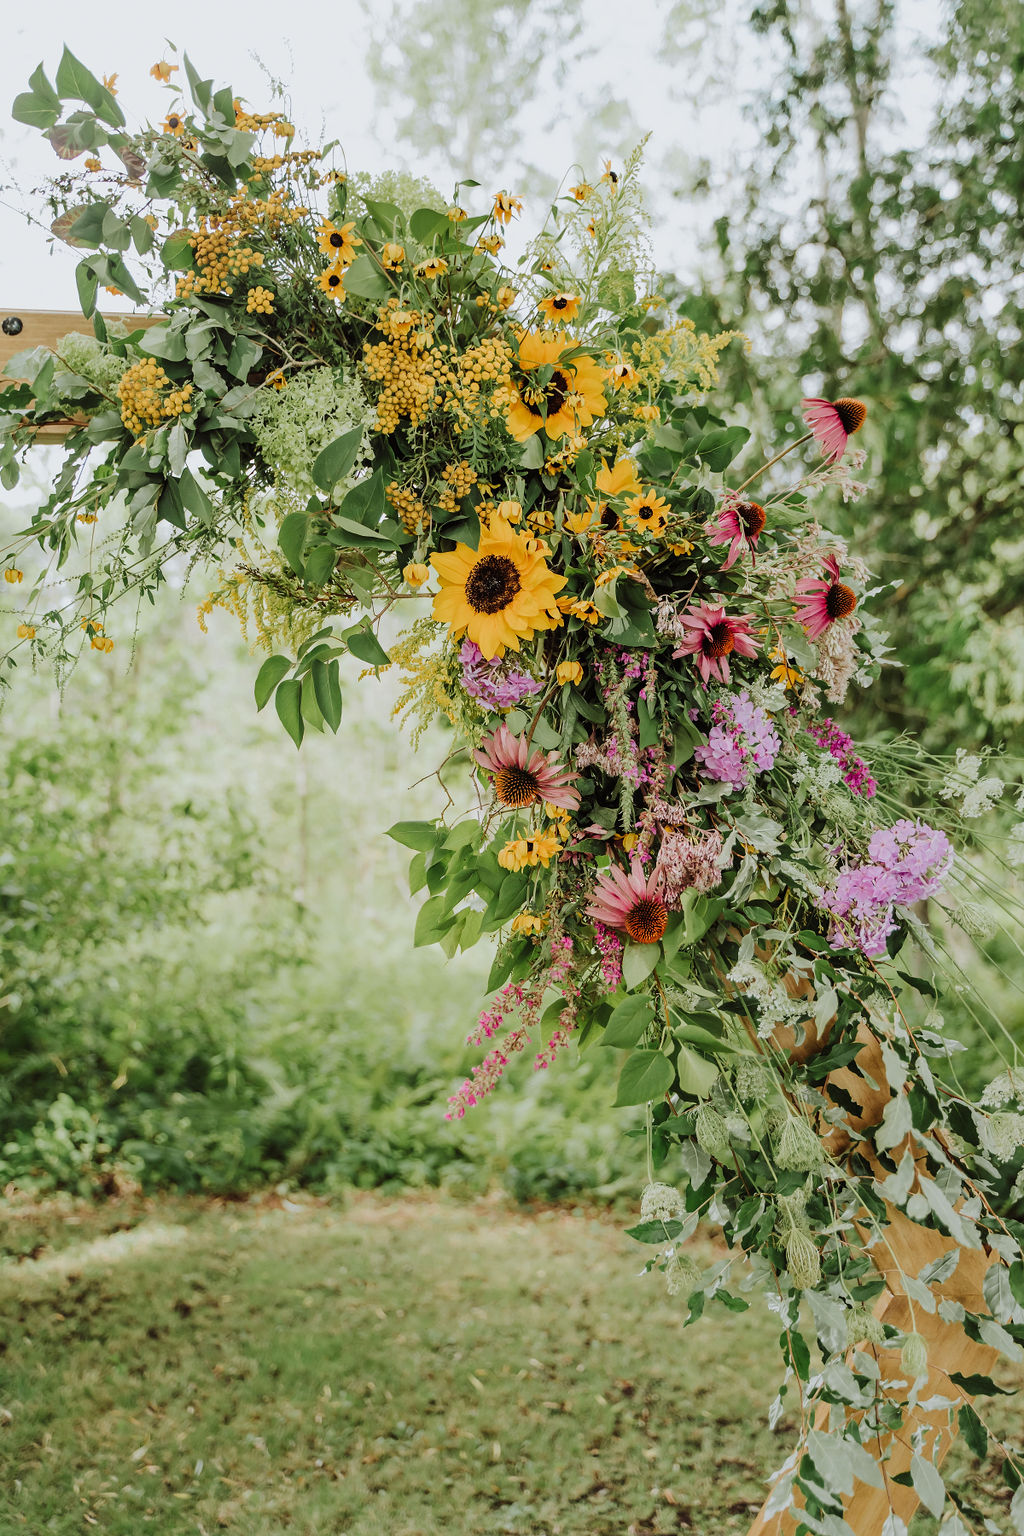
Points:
[(500, 594)]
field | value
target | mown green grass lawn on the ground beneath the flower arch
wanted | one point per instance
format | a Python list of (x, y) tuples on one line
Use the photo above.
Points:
[(398, 1368)]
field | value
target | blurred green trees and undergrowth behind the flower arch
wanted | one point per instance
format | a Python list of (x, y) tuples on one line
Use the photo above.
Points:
[(206, 976)]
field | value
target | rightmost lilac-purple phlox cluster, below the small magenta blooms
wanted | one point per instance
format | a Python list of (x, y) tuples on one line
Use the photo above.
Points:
[(905, 864)]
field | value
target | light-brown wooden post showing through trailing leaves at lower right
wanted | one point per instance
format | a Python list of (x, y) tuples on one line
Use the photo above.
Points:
[(950, 1349)]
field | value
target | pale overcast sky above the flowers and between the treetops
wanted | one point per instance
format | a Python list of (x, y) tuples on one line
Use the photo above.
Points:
[(319, 51)]
